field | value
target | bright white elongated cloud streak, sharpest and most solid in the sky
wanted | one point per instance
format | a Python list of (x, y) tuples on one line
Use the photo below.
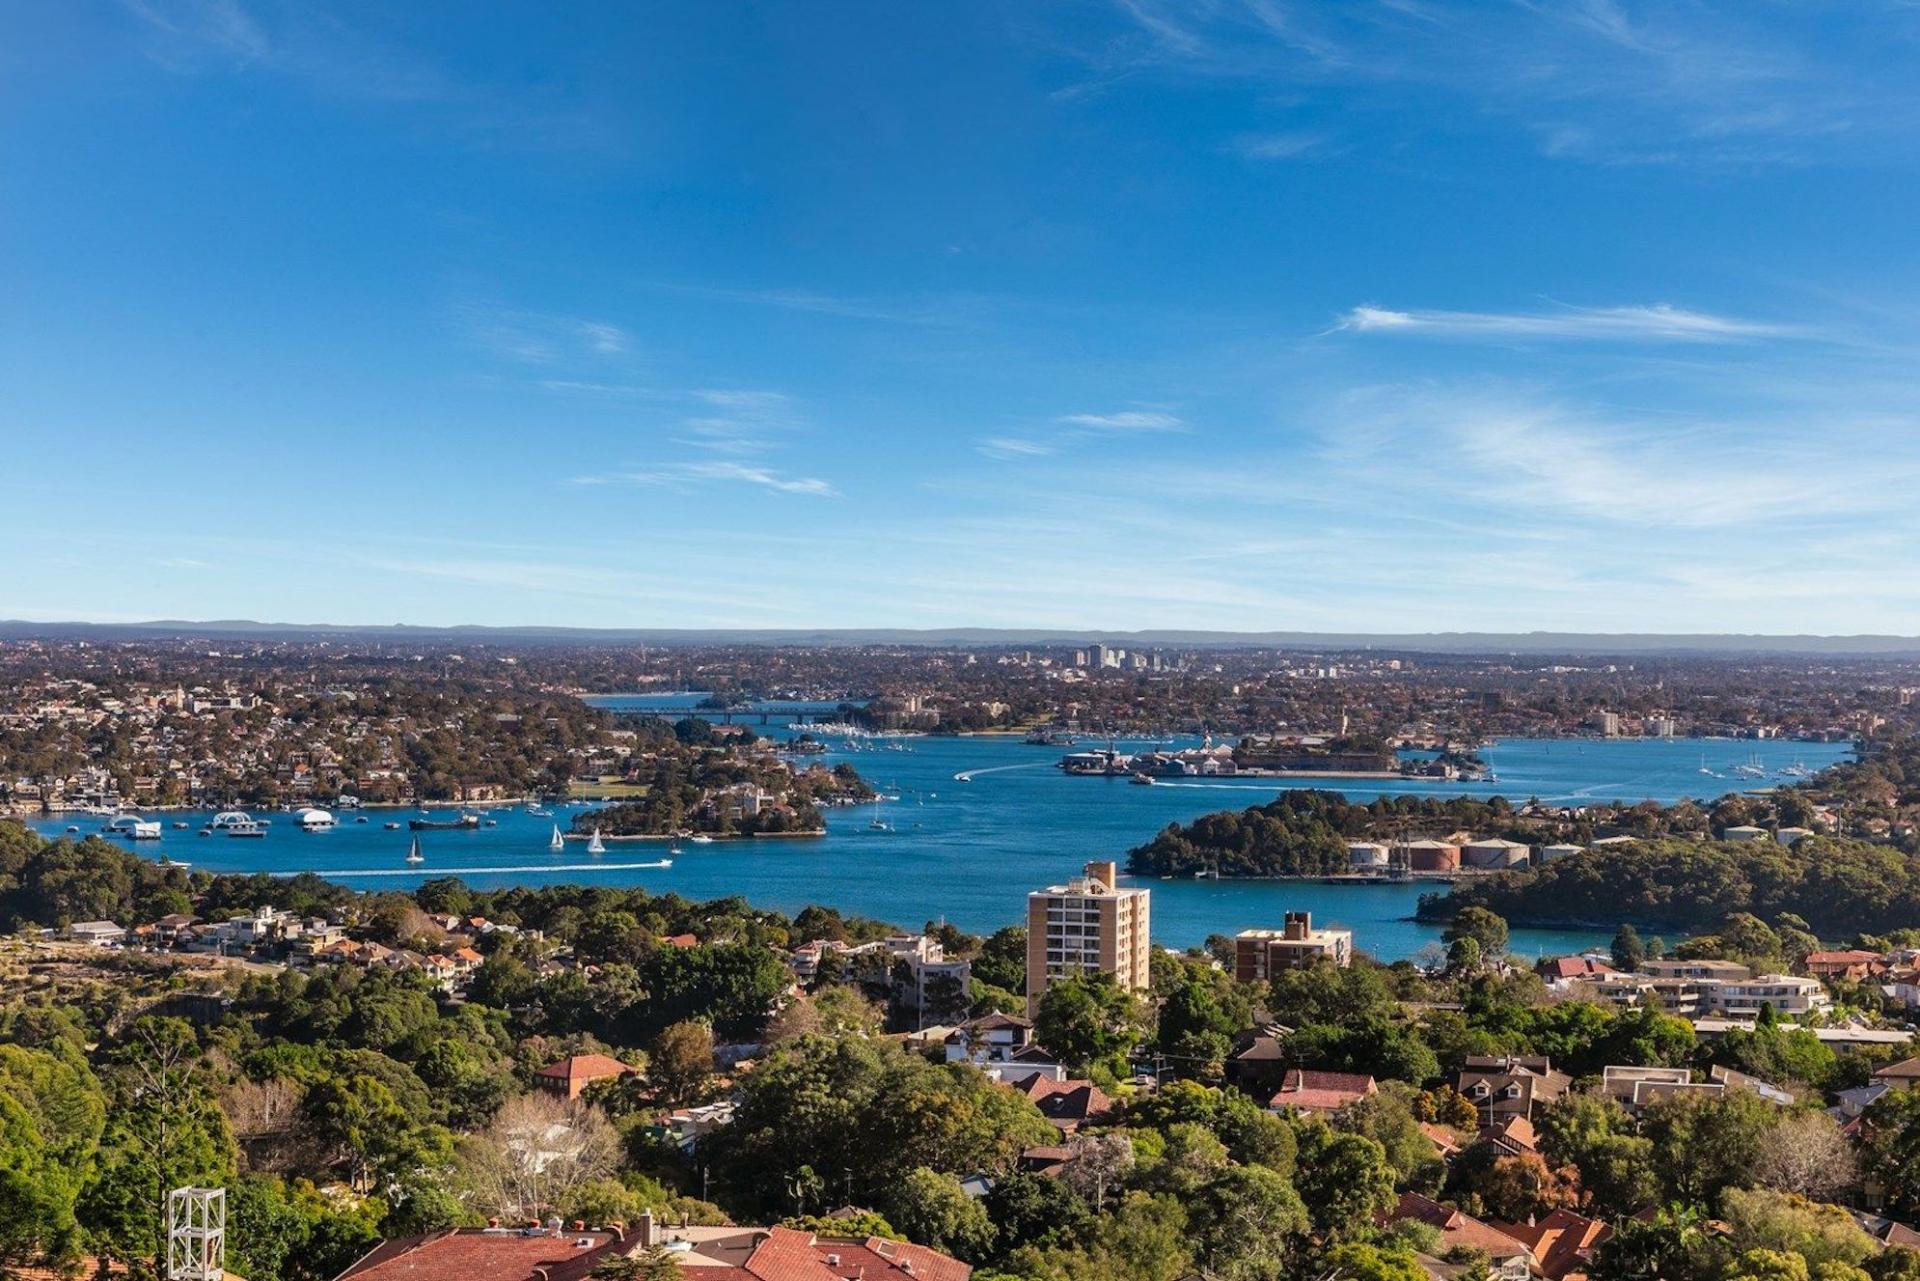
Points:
[(1637, 324)]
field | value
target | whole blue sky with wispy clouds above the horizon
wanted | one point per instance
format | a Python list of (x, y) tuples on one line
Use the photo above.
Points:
[(1222, 314)]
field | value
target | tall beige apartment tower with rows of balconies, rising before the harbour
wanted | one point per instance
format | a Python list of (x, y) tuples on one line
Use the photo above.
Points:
[(1088, 927)]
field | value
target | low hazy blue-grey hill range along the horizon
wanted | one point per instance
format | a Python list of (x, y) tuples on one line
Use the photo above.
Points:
[(1038, 639)]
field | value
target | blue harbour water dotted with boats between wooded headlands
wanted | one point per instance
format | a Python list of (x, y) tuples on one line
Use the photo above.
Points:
[(972, 850)]
